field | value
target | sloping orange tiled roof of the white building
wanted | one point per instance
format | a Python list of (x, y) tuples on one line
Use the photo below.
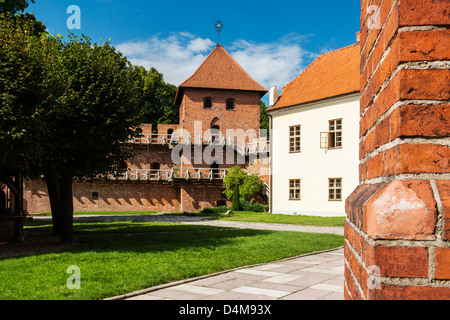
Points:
[(332, 74)]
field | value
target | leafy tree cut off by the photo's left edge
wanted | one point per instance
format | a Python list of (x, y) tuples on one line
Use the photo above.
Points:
[(22, 96)]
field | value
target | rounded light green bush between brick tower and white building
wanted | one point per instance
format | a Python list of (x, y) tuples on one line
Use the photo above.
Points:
[(238, 183)]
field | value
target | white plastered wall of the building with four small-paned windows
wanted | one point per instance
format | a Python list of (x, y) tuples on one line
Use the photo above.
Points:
[(313, 165)]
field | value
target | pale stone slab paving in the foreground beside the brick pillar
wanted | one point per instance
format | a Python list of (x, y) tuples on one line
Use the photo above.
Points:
[(316, 276)]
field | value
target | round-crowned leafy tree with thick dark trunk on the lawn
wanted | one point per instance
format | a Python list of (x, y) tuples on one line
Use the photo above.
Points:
[(96, 112)]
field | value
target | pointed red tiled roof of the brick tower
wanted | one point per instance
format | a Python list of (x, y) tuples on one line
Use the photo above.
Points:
[(220, 71)]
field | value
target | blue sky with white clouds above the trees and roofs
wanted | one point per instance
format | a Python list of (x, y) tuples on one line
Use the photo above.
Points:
[(273, 41)]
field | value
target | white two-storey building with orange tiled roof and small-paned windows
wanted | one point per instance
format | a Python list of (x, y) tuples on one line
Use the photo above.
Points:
[(315, 137)]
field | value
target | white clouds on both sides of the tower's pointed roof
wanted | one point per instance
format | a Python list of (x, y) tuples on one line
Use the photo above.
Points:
[(178, 55)]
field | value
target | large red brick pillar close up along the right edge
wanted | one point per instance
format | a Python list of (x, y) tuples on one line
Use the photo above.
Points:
[(398, 220)]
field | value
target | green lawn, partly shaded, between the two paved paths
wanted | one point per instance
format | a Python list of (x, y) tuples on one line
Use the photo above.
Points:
[(121, 257)]
